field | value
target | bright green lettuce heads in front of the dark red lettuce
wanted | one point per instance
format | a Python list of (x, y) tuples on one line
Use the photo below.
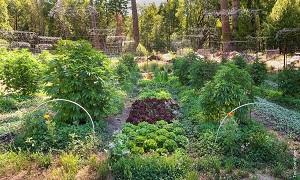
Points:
[(161, 137)]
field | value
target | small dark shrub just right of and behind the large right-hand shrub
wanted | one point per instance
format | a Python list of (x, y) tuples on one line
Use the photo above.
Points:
[(258, 71)]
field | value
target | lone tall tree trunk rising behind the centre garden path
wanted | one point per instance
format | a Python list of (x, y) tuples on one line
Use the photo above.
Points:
[(135, 22)]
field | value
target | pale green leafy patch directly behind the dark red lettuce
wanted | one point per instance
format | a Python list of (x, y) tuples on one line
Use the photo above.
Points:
[(157, 94)]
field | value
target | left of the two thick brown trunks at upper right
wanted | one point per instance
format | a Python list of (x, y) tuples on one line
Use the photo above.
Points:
[(225, 26)]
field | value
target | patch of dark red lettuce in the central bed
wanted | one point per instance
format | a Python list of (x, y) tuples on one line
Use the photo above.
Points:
[(152, 110)]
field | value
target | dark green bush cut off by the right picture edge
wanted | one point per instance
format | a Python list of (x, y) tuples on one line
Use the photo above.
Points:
[(288, 81)]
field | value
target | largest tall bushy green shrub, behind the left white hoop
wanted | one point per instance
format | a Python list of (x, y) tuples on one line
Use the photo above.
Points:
[(80, 74)]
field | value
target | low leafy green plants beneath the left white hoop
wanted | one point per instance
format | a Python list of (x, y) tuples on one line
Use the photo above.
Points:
[(44, 135)]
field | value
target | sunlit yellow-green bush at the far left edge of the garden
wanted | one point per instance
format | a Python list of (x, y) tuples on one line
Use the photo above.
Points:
[(21, 72)]
